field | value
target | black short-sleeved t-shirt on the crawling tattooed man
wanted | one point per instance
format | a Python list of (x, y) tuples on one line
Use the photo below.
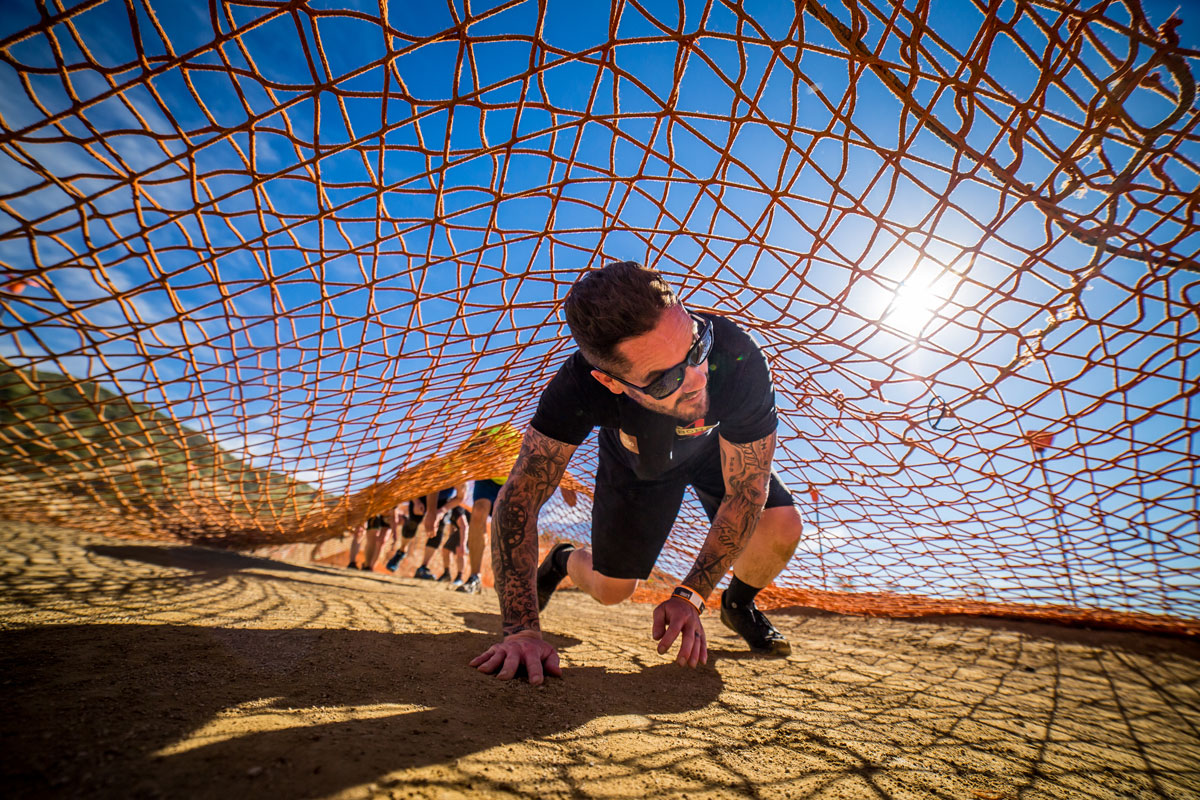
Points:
[(741, 407)]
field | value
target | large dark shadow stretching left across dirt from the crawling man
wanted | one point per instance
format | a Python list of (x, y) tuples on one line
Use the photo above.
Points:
[(101, 708)]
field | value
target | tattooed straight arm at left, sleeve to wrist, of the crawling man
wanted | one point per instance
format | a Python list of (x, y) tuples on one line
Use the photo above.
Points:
[(535, 478)]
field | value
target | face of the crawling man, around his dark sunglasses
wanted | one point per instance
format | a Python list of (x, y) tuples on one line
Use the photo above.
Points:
[(659, 350)]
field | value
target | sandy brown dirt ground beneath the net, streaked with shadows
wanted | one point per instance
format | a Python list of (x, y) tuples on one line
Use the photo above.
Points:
[(135, 670)]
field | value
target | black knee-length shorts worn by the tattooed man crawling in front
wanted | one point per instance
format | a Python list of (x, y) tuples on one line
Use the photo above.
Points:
[(632, 518)]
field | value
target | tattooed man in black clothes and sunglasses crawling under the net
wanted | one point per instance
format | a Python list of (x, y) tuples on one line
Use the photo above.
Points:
[(681, 399)]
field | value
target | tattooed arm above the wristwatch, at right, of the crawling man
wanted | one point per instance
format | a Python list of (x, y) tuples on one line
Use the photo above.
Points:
[(747, 470)]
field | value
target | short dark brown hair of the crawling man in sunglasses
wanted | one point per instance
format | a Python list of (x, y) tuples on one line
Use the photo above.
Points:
[(616, 303)]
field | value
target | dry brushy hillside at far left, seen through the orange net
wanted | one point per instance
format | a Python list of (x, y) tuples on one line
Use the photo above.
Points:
[(74, 440)]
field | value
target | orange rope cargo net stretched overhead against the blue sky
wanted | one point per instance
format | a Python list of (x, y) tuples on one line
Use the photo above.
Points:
[(271, 268)]
